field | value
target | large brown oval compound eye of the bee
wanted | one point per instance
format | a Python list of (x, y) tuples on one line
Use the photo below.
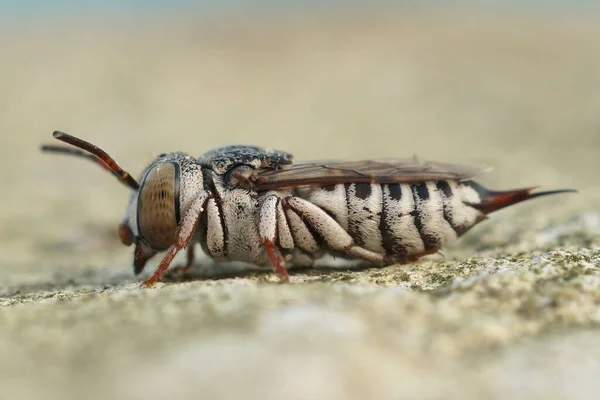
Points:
[(158, 206)]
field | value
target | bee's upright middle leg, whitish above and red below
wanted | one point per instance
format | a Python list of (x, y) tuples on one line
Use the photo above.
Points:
[(268, 235)]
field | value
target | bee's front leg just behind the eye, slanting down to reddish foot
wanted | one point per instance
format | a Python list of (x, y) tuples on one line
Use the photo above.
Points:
[(185, 233)]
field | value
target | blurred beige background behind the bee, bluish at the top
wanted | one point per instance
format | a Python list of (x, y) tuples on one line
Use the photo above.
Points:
[(511, 84)]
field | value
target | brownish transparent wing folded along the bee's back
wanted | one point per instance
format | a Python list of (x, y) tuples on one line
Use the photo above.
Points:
[(371, 171)]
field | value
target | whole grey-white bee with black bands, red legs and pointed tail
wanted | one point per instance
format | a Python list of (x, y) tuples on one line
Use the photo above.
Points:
[(252, 204)]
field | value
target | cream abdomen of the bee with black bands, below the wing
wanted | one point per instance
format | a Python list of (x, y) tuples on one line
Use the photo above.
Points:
[(402, 219)]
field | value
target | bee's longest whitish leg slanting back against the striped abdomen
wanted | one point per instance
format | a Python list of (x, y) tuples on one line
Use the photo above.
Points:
[(330, 230)]
